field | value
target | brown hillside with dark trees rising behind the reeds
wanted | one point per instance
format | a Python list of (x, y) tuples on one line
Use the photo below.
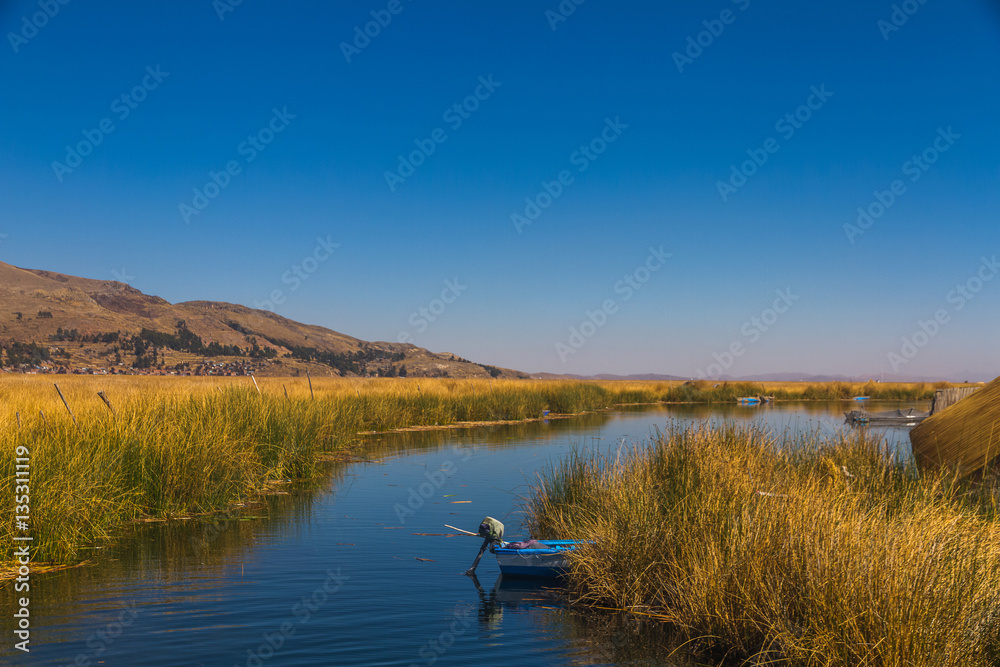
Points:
[(54, 320)]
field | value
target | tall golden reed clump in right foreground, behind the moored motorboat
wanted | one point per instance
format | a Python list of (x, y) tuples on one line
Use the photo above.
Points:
[(765, 550)]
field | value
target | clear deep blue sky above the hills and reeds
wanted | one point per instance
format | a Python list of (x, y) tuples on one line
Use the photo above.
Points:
[(357, 189)]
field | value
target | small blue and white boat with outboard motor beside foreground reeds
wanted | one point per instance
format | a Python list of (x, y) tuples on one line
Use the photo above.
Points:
[(531, 558)]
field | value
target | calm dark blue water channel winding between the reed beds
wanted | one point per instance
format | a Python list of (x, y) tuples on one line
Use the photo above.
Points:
[(349, 572)]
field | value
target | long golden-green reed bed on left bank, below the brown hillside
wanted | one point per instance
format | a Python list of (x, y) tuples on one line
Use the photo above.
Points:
[(178, 446)]
